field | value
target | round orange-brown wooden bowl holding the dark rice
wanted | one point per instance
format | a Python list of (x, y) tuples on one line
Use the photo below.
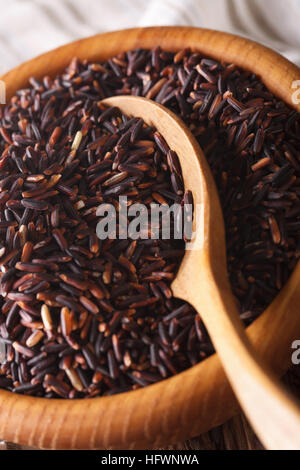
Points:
[(200, 398)]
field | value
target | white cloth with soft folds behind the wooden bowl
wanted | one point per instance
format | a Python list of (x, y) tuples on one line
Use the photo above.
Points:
[(30, 27)]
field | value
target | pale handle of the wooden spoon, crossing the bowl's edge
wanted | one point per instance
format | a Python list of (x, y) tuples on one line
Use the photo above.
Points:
[(272, 411)]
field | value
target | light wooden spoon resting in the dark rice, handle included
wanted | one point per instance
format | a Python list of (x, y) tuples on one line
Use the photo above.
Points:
[(202, 281)]
